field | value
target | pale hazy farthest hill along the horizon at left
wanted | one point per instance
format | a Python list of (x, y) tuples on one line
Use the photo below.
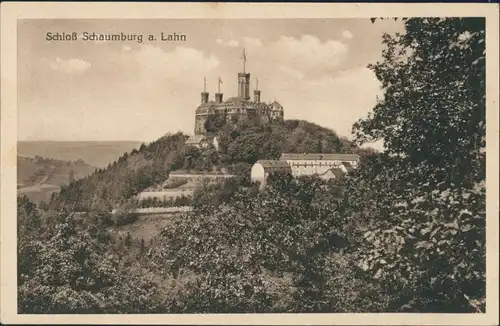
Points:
[(95, 153)]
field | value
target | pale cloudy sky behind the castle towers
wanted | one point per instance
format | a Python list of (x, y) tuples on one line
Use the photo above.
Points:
[(114, 90)]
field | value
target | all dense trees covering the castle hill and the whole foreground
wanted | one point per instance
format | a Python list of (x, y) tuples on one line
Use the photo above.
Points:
[(405, 232)]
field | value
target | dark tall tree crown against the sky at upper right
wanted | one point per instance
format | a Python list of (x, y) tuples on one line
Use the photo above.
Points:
[(433, 108)]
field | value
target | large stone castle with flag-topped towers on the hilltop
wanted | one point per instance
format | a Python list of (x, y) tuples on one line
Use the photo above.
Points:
[(236, 108)]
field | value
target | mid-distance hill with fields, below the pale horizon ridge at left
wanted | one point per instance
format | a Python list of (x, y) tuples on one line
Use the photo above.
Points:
[(38, 177)]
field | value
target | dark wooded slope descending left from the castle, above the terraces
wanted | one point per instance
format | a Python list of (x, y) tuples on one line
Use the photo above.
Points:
[(124, 178)]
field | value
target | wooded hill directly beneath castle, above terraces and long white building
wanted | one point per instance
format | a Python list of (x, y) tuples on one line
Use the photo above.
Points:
[(241, 145)]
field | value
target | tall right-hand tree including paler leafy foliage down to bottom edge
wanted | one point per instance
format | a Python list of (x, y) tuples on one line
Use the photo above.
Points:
[(420, 206)]
